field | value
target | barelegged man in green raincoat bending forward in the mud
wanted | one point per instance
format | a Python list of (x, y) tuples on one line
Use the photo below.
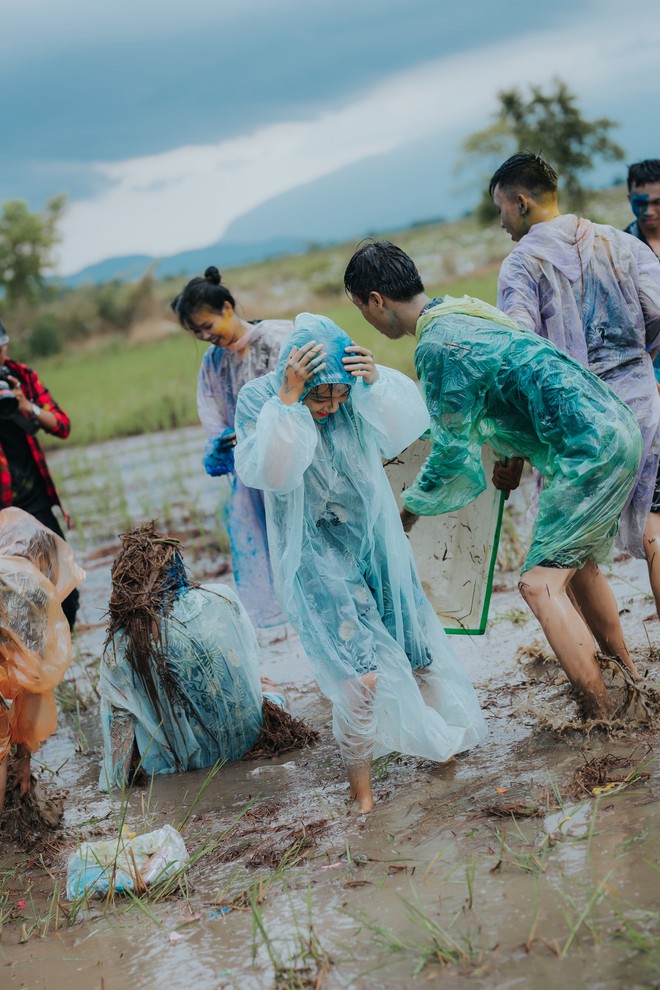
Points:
[(488, 380)]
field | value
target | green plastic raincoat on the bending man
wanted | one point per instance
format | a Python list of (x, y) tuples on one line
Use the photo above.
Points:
[(487, 380)]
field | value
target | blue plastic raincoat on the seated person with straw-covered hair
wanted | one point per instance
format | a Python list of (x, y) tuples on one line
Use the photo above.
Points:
[(216, 714)]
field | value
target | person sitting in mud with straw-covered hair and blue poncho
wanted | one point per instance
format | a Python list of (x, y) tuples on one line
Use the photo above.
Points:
[(179, 683)]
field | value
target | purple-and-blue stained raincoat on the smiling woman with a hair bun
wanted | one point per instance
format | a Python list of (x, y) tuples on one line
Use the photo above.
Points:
[(223, 373)]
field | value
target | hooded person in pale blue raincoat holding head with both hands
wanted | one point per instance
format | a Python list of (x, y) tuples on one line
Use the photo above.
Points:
[(312, 435)]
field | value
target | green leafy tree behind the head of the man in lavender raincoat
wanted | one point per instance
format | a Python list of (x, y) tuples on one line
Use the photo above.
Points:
[(549, 124)]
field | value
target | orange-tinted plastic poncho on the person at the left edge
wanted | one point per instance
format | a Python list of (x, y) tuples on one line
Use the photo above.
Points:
[(37, 571)]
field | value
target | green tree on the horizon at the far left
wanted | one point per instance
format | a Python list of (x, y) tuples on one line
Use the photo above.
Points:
[(26, 246)]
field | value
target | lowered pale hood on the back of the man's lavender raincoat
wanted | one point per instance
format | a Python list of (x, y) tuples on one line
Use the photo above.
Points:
[(567, 243)]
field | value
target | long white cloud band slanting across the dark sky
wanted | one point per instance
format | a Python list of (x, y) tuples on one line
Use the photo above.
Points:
[(185, 198)]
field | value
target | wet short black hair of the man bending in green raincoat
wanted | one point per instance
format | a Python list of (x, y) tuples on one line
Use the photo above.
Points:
[(380, 266)]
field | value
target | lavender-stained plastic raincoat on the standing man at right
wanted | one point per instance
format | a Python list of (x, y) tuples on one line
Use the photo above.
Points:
[(594, 291)]
